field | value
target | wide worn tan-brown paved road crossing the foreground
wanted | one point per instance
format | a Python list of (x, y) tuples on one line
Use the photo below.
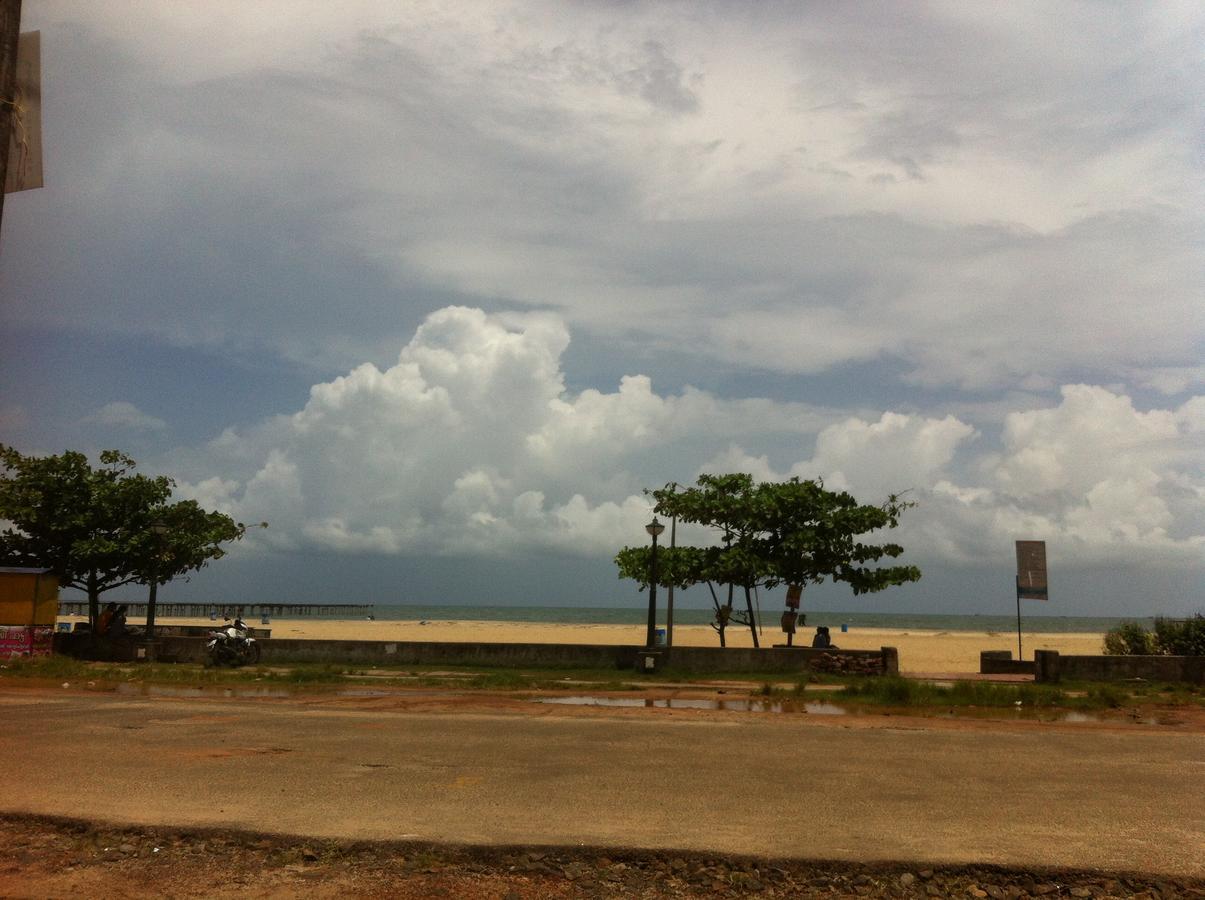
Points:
[(732, 783)]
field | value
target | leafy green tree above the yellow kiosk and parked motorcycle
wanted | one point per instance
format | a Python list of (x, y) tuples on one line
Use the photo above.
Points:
[(92, 526)]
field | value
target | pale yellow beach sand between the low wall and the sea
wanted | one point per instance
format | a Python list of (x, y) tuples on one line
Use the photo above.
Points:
[(931, 652)]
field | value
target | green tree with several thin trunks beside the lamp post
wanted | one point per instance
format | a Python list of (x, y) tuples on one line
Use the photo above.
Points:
[(795, 533)]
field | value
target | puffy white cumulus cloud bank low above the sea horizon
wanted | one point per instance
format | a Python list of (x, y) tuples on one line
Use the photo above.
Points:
[(472, 444)]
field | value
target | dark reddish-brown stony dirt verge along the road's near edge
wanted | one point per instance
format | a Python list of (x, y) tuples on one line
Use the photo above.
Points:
[(48, 857)]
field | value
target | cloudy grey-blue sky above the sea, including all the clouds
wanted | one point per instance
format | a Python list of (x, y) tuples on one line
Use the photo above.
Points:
[(438, 290)]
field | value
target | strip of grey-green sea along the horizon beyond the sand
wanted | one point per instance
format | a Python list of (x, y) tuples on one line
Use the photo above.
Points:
[(769, 619)]
